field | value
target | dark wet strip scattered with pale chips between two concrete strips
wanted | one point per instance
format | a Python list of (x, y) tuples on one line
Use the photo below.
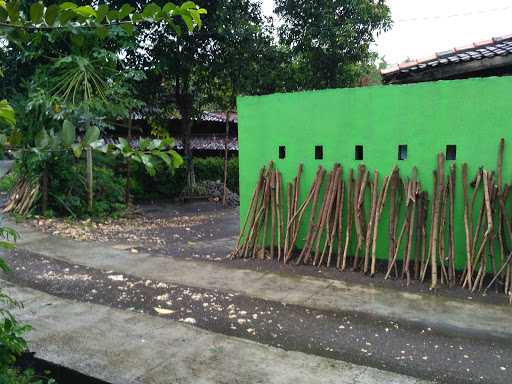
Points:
[(384, 343)]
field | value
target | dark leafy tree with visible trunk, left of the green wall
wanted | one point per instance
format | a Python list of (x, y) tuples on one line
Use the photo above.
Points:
[(227, 57)]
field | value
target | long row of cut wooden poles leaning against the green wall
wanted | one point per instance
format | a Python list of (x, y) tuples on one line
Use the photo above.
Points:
[(339, 221)]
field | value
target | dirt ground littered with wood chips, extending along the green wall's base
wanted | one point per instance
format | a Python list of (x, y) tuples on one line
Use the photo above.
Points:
[(206, 231)]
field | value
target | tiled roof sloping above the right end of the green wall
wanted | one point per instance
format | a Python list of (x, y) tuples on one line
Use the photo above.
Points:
[(497, 46)]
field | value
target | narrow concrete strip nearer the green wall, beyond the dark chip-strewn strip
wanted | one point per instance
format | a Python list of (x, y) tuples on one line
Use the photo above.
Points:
[(451, 315)]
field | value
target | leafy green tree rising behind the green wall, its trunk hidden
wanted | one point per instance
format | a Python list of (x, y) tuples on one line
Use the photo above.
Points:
[(330, 40)]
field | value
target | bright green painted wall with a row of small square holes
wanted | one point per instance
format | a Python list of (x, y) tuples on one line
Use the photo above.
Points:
[(472, 114)]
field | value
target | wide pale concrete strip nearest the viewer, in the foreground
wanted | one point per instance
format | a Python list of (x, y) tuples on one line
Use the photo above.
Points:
[(125, 347)]
